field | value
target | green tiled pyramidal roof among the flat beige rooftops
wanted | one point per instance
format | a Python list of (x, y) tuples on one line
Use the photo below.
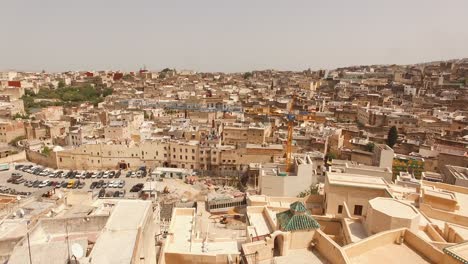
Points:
[(296, 218)]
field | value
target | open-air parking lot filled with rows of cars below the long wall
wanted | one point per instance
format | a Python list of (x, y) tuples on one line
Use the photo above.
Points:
[(70, 180)]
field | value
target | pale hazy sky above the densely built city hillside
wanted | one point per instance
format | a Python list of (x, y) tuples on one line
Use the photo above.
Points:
[(219, 35)]
